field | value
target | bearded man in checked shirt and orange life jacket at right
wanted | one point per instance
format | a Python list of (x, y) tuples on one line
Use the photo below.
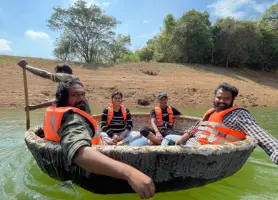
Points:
[(226, 122)]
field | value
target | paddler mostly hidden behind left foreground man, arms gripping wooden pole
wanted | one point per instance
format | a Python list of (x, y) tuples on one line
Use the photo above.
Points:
[(62, 73)]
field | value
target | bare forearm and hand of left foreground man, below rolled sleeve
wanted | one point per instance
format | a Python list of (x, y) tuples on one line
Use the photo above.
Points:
[(99, 163)]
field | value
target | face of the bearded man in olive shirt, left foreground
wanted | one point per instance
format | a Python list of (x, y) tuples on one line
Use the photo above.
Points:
[(77, 97)]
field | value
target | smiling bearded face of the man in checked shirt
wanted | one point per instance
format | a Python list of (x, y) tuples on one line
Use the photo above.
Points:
[(223, 100)]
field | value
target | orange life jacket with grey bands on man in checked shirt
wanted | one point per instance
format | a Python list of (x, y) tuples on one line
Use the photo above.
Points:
[(212, 130)]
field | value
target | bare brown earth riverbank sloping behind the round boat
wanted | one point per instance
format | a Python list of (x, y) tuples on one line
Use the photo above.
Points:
[(186, 85)]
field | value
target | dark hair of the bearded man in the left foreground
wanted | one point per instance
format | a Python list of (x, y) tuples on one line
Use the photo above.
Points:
[(62, 93)]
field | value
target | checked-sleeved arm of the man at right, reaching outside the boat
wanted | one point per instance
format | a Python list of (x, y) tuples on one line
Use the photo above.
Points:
[(265, 140)]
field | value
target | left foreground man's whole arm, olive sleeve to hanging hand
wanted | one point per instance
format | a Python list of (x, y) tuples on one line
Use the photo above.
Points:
[(76, 134)]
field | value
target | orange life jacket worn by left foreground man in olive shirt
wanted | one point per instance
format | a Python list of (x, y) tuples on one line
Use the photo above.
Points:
[(53, 119)]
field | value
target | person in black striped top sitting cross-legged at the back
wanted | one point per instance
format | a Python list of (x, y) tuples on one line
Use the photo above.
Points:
[(116, 122)]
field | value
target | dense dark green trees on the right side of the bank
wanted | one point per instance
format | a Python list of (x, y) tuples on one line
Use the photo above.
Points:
[(192, 38)]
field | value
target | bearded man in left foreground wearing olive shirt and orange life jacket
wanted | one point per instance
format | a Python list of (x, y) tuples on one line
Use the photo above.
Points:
[(75, 133)]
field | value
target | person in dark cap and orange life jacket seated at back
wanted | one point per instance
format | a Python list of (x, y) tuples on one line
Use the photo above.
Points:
[(162, 121)]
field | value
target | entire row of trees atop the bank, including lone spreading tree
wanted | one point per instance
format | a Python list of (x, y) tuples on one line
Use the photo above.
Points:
[(87, 35)]
